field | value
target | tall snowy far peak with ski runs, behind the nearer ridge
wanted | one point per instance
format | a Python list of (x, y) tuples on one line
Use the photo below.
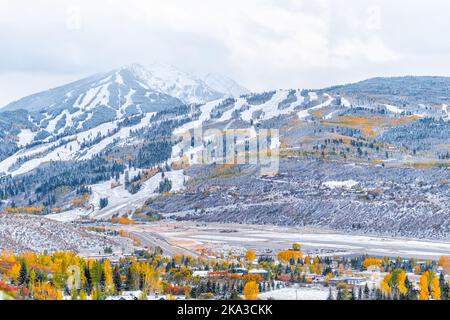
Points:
[(106, 97)]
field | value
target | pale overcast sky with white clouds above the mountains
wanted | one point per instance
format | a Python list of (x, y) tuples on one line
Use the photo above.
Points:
[(261, 44)]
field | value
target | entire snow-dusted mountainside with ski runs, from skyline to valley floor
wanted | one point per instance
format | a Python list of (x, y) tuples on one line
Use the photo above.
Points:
[(366, 157)]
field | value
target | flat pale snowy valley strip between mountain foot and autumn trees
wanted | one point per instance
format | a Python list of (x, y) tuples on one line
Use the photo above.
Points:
[(188, 237)]
